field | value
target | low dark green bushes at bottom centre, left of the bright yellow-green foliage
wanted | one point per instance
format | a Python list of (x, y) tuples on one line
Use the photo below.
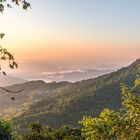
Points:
[(38, 132)]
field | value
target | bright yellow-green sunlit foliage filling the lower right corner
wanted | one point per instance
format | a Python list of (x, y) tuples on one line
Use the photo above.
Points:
[(122, 125)]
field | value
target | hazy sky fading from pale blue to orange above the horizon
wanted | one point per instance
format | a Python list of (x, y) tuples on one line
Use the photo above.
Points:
[(73, 32)]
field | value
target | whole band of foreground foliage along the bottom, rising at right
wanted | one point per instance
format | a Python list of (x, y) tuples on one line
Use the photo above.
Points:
[(110, 124)]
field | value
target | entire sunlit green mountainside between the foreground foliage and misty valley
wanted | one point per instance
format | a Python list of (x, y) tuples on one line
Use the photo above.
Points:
[(61, 103)]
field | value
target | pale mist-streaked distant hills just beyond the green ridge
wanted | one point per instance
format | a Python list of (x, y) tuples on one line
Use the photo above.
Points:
[(74, 75)]
